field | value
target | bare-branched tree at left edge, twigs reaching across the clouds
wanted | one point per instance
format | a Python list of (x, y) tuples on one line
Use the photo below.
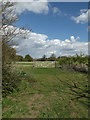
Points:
[(9, 31)]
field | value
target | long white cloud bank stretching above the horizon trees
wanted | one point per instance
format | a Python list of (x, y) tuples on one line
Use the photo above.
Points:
[(39, 44)]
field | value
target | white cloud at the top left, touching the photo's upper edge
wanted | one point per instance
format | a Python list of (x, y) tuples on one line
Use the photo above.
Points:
[(36, 7)]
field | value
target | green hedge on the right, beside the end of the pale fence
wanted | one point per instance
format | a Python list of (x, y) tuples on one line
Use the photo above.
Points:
[(79, 63)]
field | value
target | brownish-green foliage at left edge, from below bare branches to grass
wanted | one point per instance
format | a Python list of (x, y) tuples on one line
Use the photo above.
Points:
[(10, 78)]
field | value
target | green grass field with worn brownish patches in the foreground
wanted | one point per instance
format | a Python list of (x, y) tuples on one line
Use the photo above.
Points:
[(48, 97)]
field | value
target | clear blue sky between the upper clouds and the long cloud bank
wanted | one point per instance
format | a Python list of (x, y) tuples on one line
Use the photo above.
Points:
[(56, 26)]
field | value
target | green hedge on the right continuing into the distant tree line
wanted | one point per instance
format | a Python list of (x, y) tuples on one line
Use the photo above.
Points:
[(77, 62)]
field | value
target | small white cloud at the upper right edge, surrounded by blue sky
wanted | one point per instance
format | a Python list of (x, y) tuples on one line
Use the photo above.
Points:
[(83, 17)]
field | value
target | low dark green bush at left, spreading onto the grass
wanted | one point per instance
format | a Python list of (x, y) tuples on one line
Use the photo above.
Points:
[(12, 79)]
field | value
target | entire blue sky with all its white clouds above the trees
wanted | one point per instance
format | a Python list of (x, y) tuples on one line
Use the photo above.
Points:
[(59, 28)]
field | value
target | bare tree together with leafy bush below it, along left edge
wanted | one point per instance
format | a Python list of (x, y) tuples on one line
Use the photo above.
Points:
[(8, 53)]
